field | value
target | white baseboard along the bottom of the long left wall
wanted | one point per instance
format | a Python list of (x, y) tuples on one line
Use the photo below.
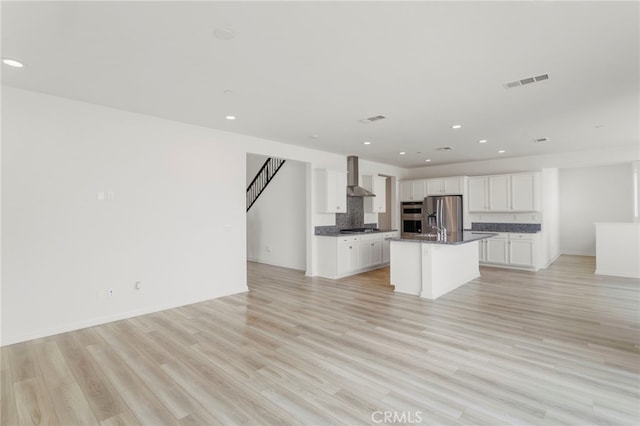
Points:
[(64, 328)]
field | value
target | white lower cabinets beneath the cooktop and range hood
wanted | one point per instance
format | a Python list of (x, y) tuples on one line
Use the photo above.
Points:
[(347, 255)]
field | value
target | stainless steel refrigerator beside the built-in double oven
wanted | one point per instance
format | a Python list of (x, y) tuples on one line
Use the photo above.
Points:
[(442, 212)]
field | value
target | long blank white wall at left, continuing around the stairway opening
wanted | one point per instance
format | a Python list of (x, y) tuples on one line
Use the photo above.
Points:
[(177, 222)]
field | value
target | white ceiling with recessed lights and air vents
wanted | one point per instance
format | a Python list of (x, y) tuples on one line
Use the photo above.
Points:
[(315, 68)]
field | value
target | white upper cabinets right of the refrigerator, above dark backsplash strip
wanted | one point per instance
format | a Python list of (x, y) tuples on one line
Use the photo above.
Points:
[(504, 193)]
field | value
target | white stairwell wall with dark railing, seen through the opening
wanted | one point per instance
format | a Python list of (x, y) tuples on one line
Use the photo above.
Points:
[(276, 222)]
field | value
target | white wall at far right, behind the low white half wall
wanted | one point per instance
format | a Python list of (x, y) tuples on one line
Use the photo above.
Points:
[(589, 195)]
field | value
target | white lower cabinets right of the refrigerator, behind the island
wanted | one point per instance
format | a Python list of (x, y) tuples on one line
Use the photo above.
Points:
[(511, 249)]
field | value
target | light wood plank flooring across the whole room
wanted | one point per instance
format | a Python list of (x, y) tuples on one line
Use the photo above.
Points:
[(559, 346)]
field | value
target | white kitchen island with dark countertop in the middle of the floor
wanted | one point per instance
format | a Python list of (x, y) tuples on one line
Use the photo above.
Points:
[(431, 266)]
